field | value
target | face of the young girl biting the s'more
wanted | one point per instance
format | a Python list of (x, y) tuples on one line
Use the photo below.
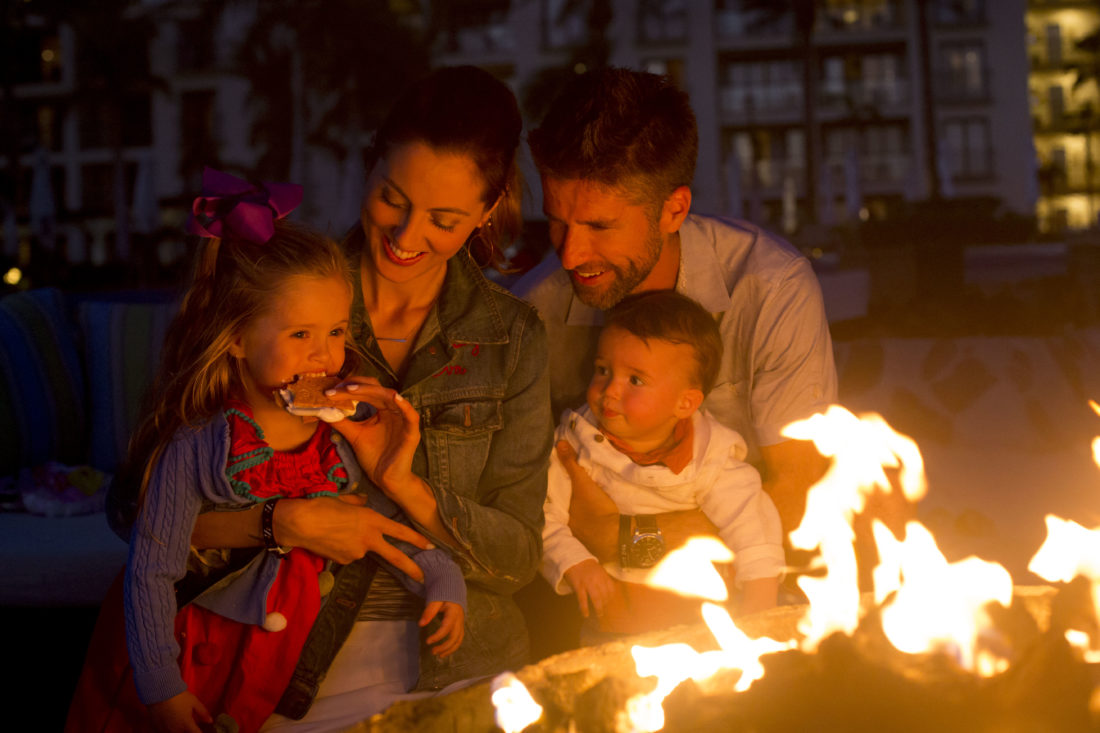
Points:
[(302, 332)]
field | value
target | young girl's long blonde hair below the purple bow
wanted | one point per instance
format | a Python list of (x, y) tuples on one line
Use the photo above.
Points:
[(234, 281)]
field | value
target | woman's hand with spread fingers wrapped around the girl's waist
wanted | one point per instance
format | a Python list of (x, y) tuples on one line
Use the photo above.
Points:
[(344, 530)]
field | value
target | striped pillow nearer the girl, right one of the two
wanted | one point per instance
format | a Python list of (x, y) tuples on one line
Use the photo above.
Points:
[(123, 349)]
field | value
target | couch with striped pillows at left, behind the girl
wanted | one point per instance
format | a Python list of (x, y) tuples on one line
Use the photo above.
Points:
[(73, 373)]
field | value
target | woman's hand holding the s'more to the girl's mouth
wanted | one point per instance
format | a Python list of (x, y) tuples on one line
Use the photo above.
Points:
[(387, 442)]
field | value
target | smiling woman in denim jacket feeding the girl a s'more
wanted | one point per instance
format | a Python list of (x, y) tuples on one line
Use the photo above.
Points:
[(464, 450)]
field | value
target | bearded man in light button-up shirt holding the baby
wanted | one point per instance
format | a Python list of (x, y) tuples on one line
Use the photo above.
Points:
[(617, 156)]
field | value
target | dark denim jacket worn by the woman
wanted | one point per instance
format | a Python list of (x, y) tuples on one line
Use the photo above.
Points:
[(478, 376)]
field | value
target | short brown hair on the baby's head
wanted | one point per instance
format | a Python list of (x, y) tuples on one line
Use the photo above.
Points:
[(669, 316)]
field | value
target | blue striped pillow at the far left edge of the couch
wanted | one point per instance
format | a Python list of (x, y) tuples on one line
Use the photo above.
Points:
[(42, 410)]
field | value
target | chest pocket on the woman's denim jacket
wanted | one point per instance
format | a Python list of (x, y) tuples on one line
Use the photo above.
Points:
[(458, 436)]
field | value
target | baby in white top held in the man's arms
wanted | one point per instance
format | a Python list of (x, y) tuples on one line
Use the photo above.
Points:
[(644, 439)]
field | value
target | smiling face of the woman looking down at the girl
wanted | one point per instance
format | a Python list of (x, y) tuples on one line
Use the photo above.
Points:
[(420, 210)]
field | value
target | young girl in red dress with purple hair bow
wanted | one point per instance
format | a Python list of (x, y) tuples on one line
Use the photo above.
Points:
[(270, 301)]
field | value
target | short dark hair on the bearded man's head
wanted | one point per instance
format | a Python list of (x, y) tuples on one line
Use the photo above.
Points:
[(621, 128)]
